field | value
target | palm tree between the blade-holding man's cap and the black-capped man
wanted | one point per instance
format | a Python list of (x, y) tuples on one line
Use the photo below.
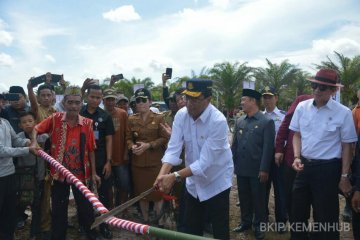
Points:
[(228, 80)]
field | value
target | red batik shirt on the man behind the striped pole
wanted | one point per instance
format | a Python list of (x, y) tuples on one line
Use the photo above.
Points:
[(71, 159)]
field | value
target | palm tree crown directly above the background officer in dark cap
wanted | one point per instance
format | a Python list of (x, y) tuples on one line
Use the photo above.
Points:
[(275, 75)]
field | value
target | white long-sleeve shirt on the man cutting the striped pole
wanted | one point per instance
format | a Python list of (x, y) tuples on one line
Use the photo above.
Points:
[(207, 151)]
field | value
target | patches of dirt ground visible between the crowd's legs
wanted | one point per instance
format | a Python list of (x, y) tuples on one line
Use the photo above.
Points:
[(133, 215)]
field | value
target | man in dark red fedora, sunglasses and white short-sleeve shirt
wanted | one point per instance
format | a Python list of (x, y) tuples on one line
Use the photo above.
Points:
[(324, 133)]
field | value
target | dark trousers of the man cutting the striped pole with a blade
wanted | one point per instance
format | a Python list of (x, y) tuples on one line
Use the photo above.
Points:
[(216, 208)]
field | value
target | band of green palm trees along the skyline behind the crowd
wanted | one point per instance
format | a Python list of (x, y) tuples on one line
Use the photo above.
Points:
[(289, 81)]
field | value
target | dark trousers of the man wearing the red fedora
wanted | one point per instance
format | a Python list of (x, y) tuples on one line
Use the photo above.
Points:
[(317, 186)]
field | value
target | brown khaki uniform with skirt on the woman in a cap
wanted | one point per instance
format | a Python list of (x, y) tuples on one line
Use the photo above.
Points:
[(145, 167)]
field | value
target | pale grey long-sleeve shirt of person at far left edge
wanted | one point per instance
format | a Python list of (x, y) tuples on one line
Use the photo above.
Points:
[(10, 146)]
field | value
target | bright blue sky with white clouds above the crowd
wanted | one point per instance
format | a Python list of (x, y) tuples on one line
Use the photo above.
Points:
[(95, 39)]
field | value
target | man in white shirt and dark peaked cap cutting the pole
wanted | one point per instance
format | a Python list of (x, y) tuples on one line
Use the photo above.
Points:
[(209, 166)]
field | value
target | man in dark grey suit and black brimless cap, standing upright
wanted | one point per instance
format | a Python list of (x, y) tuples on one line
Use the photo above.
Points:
[(252, 147)]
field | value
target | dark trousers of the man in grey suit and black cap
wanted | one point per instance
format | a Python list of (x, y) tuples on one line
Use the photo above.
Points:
[(252, 195)]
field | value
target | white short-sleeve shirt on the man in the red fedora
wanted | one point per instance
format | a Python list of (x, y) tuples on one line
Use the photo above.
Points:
[(323, 130)]
